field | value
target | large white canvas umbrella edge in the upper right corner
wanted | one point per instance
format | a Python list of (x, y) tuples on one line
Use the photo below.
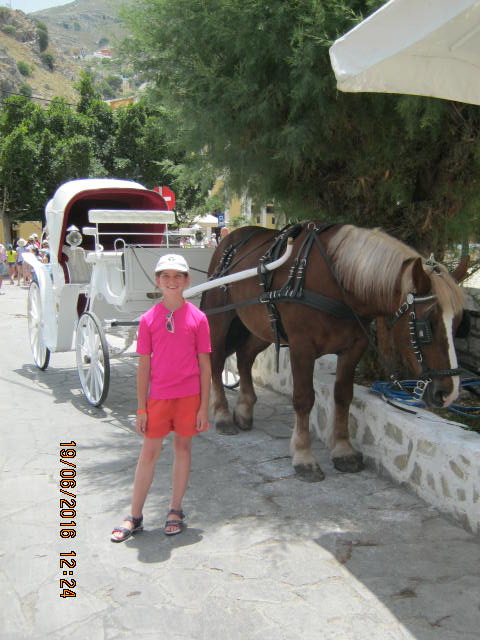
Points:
[(420, 47)]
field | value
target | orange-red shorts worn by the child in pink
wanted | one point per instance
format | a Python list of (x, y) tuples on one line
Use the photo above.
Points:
[(175, 414)]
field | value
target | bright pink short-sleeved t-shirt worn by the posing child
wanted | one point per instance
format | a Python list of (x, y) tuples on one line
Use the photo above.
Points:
[(174, 371)]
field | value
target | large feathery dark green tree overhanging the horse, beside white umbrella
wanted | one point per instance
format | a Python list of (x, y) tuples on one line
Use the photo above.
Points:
[(254, 88)]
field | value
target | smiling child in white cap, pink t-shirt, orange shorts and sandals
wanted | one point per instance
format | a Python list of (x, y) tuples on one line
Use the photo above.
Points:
[(173, 387)]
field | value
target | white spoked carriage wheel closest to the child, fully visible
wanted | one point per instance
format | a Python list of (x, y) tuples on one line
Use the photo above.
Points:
[(93, 360)]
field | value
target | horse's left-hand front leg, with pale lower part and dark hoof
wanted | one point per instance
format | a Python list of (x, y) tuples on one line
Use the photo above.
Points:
[(303, 460)]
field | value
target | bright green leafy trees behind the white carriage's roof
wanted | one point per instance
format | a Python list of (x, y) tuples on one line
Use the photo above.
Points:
[(42, 148)]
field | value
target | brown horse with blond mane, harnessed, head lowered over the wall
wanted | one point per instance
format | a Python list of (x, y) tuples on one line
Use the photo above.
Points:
[(322, 300)]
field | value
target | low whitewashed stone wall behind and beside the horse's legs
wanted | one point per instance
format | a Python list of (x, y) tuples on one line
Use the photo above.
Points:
[(435, 458)]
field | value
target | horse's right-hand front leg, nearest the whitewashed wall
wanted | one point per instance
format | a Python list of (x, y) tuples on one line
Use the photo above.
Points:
[(344, 456)]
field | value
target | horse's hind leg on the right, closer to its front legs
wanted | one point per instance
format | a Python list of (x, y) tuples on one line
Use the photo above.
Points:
[(243, 412)]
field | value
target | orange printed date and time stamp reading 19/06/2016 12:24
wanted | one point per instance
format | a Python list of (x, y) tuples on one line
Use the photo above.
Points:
[(68, 512)]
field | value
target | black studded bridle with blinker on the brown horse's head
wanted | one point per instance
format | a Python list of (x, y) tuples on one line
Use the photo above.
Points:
[(420, 331)]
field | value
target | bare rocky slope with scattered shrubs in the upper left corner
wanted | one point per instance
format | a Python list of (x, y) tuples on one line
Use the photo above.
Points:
[(27, 65)]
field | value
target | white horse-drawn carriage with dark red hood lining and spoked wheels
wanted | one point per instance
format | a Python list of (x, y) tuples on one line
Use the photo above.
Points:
[(105, 238)]
